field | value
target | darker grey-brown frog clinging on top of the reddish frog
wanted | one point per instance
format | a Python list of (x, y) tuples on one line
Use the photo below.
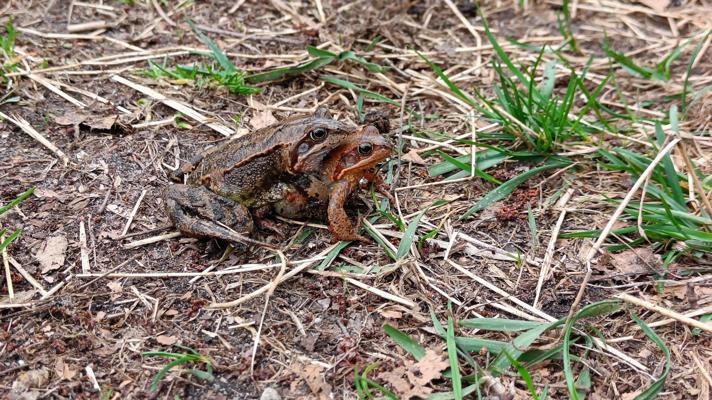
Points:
[(224, 183)]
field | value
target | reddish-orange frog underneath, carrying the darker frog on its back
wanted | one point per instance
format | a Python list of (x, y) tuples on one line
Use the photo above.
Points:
[(345, 169)]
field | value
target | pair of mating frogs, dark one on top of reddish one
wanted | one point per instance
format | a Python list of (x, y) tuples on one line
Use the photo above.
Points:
[(301, 167)]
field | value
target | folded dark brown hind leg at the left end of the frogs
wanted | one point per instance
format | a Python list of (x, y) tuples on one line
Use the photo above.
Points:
[(196, 211)]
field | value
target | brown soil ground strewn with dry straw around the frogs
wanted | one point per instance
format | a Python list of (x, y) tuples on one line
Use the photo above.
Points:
[(107, 298)]
